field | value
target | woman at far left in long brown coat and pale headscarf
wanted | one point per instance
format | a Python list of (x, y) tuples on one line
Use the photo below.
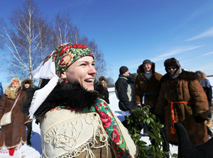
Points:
[(13, 135)]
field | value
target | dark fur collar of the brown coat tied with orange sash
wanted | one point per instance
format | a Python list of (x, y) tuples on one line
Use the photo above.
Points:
[(184, 75)]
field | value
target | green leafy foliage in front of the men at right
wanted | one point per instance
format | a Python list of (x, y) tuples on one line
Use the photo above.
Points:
[(144, 115)]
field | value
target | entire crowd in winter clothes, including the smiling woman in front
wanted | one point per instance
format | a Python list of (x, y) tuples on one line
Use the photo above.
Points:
[(73, 112)]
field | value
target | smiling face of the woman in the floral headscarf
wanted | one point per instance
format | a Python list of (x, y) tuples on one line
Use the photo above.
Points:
[(83, 71)]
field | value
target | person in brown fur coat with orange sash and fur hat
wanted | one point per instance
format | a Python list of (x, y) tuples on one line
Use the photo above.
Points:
[(182, 99)]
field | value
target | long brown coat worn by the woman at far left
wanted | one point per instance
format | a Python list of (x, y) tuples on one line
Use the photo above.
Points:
[(14, 133)]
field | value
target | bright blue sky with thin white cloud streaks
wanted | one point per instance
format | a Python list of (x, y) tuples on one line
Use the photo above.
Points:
[(130, 31)]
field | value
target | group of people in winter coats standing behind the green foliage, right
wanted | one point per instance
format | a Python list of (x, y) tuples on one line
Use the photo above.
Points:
[(178, 96)]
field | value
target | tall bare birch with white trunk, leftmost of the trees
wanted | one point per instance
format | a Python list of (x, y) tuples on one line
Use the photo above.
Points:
[(24, 39)]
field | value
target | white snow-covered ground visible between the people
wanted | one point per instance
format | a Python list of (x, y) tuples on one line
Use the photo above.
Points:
[(35, 150)]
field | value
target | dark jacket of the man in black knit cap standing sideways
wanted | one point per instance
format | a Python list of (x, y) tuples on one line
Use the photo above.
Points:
[(125, 93)]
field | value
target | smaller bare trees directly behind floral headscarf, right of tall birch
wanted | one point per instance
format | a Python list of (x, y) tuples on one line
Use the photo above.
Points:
[(64, 31)]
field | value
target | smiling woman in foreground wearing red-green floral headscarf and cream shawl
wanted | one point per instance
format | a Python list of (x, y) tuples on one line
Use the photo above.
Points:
[(74, 122)]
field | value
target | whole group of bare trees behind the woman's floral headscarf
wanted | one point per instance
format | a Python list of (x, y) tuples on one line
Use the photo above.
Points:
[(29, 38)]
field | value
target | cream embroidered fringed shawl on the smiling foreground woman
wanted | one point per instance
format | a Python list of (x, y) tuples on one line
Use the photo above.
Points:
[(71, 134)]
